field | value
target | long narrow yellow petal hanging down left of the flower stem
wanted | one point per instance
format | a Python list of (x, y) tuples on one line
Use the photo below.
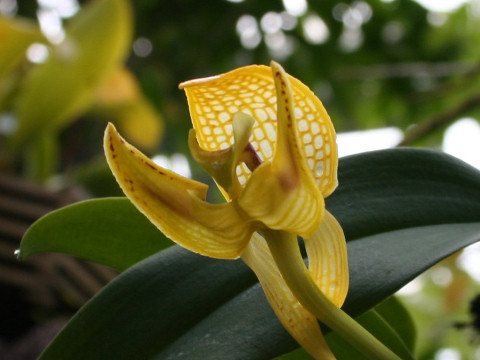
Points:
[(302, 325)]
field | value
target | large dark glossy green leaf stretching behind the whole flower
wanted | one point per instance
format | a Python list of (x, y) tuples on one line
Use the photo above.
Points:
[(402, 211)]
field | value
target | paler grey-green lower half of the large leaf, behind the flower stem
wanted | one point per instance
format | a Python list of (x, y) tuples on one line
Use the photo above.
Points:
[(375, 275)]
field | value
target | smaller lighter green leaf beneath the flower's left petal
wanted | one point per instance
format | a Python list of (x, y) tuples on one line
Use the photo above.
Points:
[(109, 231)]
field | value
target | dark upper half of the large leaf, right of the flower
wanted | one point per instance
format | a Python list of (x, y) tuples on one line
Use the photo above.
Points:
[(400, 188)]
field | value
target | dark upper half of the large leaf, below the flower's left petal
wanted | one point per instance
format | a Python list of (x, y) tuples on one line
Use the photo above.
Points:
[(151, 305)]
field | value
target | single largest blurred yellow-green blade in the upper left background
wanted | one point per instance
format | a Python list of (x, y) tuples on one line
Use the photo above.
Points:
[(53, 93)]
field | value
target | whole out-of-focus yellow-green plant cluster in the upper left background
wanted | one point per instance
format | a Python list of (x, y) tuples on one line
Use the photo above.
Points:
[(85, 71)]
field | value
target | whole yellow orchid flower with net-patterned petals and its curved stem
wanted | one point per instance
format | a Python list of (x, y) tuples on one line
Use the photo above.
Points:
[(269, 144)]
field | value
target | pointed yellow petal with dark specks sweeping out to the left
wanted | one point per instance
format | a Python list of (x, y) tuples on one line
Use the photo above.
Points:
[(176, 204)]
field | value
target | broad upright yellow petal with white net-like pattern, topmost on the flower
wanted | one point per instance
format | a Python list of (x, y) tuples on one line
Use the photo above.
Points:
[(215, 100)]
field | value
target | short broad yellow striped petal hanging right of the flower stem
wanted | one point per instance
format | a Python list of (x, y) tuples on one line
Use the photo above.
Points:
[(327, 258)]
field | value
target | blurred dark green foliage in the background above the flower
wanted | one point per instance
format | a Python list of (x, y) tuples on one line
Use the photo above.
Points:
[(410, 66)]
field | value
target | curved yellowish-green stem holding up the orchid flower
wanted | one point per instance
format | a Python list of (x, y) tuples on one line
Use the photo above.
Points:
[(286, 252)]
